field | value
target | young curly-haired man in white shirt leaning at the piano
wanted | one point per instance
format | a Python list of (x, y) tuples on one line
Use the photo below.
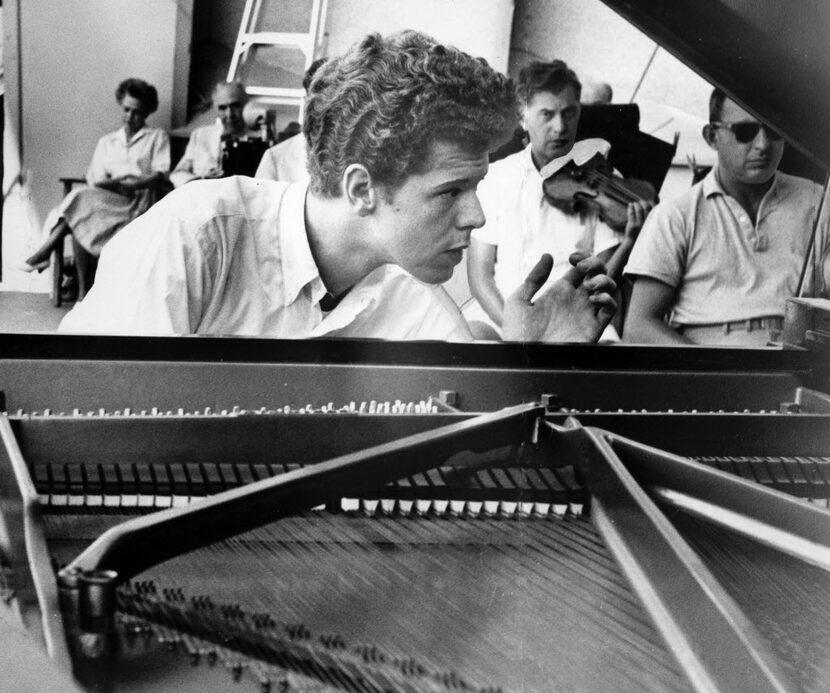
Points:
[(398, 132)]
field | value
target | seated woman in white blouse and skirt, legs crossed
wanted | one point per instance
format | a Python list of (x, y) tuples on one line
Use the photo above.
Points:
[(127, 174)]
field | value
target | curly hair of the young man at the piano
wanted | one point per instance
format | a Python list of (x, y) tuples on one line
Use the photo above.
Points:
[(387, 100)]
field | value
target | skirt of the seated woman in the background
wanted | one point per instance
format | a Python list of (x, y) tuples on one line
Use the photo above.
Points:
[(96, 215)]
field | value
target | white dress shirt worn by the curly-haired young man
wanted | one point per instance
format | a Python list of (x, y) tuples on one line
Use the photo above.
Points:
[(231, 257)]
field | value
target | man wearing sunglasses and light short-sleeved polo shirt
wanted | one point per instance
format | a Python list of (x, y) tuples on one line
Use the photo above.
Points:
[(721, 260)]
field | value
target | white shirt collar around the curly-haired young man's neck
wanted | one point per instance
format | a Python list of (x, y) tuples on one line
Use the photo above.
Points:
[(298, 266)]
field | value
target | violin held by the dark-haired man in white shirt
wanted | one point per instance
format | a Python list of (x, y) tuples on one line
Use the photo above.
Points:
[(592, 187)]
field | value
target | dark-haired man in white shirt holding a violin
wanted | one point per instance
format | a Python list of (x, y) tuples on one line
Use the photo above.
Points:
[(522, 220)]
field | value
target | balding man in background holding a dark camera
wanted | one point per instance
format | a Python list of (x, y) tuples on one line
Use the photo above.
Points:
[(225, 147)]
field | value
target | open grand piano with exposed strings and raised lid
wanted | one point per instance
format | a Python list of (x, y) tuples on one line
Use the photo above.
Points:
[(199, 514)]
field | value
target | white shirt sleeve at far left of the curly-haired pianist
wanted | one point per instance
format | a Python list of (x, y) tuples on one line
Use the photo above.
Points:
[(154, 278)]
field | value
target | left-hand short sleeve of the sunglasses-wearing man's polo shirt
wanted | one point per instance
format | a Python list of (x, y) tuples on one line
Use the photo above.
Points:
[(661, 248)]
